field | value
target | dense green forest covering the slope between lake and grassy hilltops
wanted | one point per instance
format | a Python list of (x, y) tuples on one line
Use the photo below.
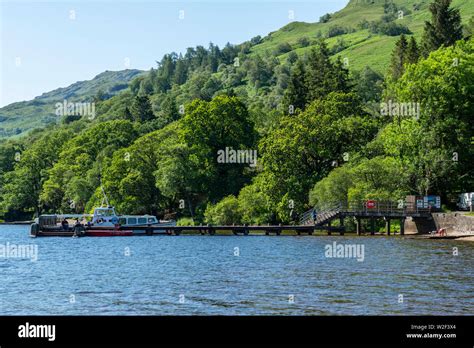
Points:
[(323, 132)]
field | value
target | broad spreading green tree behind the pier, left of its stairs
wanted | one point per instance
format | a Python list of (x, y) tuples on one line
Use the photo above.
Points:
[(304, 147)]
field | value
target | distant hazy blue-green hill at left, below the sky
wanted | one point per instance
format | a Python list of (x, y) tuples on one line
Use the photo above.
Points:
[(18, 118)]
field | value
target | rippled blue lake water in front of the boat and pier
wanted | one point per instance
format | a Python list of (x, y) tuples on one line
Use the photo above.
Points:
[(234, 275)]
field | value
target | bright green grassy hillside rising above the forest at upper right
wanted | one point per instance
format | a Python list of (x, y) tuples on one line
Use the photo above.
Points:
[(362, 47)]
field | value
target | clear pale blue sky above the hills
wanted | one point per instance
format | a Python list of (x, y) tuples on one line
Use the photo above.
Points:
[(43, 45)]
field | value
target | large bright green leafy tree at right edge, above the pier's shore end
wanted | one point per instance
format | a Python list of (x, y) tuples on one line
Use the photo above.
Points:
[(443, 155)]
